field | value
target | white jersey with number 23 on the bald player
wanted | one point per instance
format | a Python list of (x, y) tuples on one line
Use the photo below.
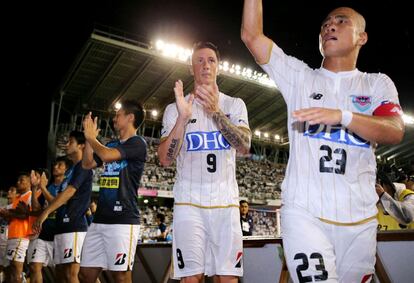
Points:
[(331, 171)]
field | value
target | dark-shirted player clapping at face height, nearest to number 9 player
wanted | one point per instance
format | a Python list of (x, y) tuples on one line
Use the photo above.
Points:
[(116, 221)]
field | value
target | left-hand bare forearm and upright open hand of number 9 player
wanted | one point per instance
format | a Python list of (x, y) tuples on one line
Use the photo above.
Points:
[(169, 147)]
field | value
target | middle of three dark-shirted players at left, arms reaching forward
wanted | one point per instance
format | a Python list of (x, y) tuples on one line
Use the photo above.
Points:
[(71, 204)]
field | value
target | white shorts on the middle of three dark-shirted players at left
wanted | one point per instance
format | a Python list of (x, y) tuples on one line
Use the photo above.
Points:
[(68, 247)]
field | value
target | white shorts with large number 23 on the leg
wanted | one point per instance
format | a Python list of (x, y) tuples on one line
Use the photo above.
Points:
[(318, 251)]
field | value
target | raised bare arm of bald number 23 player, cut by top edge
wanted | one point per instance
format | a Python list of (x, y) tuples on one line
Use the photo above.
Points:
[(252, 35)]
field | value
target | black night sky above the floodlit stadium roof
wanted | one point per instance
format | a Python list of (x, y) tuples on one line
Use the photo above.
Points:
[(41, 41)]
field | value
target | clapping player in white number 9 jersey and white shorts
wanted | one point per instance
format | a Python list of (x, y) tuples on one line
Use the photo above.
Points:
[(203, 131)]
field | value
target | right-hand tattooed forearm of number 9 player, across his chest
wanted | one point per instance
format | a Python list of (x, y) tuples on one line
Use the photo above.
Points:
[(236, 137)]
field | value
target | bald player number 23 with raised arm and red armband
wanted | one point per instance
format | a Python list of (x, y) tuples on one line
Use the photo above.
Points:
[(336, 115)]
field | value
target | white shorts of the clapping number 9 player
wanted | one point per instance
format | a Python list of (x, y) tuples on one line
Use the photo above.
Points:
[(207, 241)]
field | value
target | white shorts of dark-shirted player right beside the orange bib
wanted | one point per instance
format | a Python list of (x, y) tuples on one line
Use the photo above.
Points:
[(40, 251)]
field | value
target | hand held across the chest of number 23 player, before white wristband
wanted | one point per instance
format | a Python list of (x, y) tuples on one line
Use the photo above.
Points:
[(318, 115)]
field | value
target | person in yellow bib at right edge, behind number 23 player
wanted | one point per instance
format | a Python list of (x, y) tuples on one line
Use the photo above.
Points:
[(396, 204)]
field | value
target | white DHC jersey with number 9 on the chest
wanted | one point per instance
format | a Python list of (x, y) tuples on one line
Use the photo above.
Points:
[(206, 163)]
